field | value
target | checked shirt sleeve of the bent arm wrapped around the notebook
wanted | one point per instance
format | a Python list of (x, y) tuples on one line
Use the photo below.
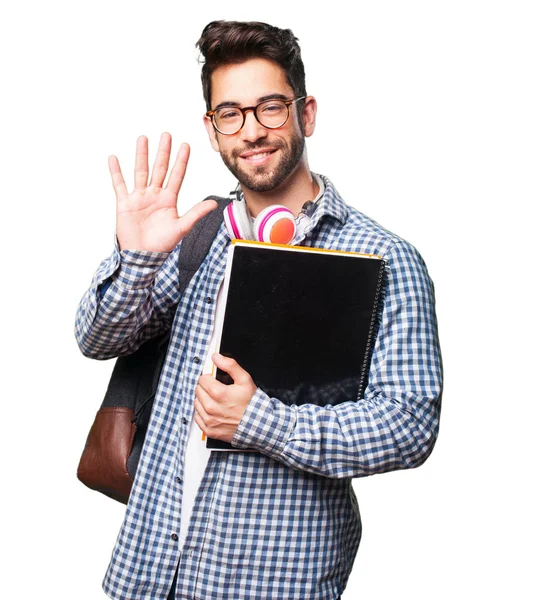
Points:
[(395, 425)]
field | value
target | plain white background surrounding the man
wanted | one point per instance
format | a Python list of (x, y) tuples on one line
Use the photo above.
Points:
[(432, 120)]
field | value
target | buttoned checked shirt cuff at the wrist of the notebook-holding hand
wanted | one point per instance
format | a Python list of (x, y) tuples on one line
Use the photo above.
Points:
[(266, 425)]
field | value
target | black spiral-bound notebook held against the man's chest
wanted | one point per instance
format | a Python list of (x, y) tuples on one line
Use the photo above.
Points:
[(301, 321)]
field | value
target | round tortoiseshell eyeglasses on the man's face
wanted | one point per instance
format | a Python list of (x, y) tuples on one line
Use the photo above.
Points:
[(271, 114)]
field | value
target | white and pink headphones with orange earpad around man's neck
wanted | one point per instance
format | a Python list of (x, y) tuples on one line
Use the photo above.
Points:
[(275, 224)]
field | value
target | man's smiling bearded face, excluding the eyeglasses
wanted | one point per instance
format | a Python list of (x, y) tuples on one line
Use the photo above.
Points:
[(261, 159)]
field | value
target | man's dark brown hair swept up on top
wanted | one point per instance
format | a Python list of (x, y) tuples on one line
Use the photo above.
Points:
[(229, 42)]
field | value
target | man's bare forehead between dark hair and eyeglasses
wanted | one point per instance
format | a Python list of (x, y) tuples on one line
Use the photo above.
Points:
[(245, 83)]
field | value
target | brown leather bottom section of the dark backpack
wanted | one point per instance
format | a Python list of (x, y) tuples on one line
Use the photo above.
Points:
[(103, 463)]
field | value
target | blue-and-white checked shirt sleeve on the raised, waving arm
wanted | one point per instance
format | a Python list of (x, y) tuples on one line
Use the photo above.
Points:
[(132, 298)]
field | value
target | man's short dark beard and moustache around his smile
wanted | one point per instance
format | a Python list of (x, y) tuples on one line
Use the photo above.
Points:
[(266, 178)]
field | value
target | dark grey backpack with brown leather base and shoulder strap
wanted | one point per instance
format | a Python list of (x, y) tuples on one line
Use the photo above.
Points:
[(113, 447)]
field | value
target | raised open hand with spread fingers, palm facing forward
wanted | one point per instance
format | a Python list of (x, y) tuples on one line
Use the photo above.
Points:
[(147, 219)]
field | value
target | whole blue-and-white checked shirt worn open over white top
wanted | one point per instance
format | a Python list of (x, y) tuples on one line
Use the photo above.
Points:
[(283, 522)]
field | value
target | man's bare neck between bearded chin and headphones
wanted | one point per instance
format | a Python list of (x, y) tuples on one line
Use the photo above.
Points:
[(297, 189)]
